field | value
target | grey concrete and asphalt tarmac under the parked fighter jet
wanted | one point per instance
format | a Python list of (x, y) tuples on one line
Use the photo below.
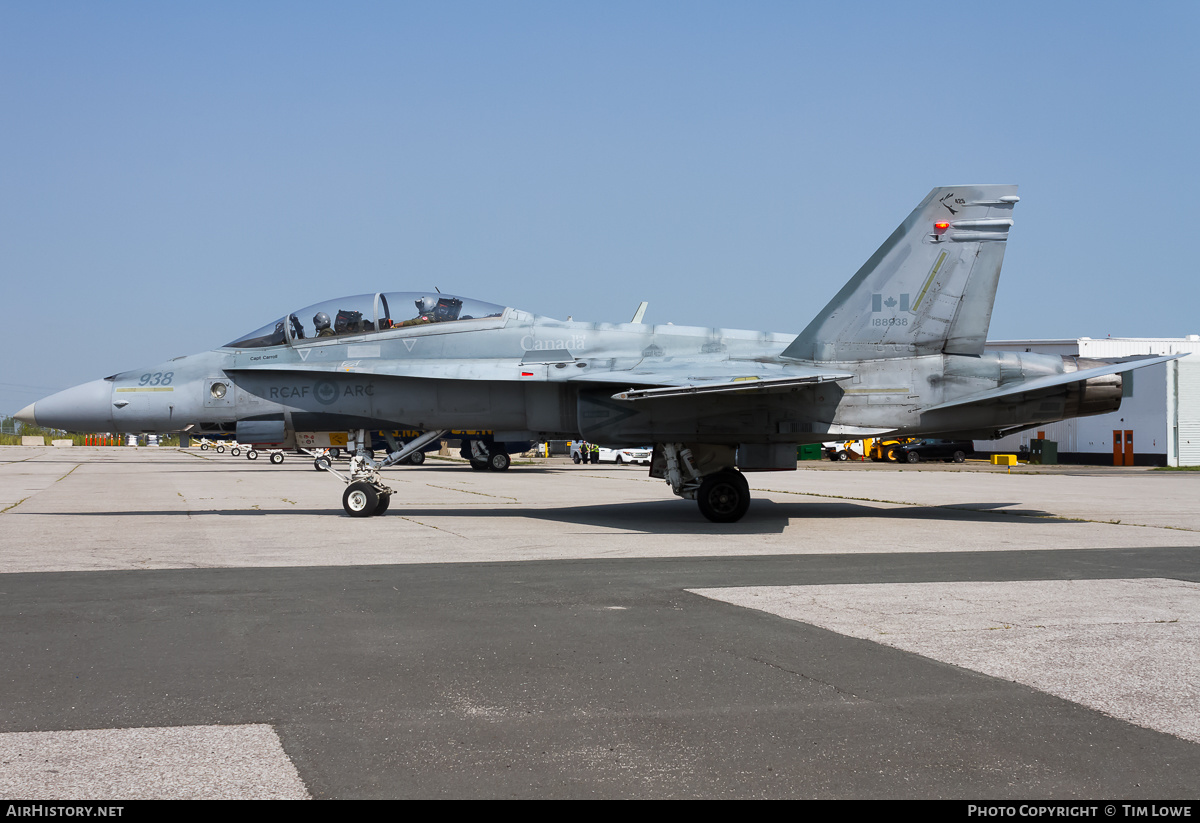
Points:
[(578, 632)]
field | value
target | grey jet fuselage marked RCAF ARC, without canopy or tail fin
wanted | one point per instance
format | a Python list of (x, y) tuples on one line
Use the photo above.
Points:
[(545, 379)]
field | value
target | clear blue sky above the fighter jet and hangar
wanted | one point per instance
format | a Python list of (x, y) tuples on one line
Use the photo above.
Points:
[(178, 175)]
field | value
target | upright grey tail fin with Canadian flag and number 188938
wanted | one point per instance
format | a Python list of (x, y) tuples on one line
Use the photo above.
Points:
[(928, 290)]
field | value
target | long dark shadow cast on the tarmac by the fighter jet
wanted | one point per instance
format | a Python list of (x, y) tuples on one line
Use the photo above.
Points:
[(651, 516)]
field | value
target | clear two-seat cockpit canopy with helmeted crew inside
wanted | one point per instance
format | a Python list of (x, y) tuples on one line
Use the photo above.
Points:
[(367, 314)]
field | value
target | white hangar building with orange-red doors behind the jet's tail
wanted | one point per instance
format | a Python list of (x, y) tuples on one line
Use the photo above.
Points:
[(1160, 407)]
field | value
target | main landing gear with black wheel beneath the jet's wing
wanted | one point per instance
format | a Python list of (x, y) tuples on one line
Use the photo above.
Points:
[(722, 492)]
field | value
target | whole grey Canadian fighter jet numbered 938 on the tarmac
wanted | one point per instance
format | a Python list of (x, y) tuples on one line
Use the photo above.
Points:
[(899, 351)]
